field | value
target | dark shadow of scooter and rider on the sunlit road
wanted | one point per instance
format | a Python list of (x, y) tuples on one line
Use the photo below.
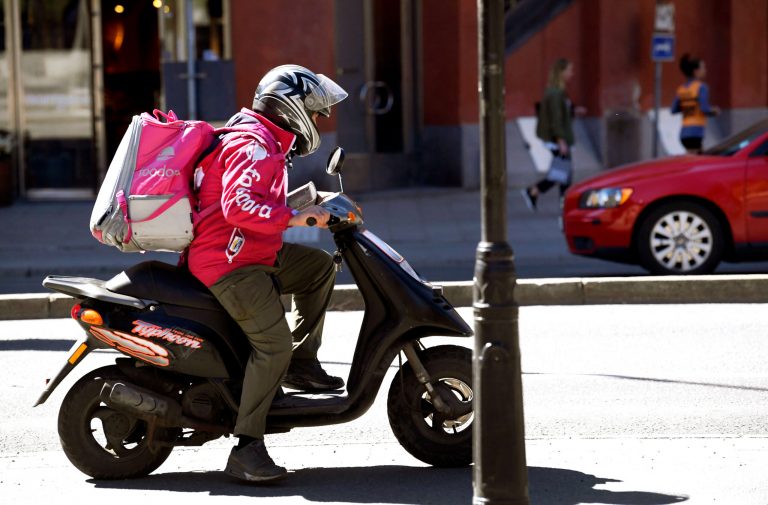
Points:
[(395, 484)]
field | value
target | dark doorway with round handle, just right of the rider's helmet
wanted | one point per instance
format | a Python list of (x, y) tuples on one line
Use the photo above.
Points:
[(378, 126)]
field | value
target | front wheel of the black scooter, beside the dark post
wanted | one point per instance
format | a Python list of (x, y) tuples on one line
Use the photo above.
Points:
[(432, 437)]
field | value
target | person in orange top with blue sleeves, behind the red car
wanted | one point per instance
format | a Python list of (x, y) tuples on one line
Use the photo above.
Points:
[(692, 100)]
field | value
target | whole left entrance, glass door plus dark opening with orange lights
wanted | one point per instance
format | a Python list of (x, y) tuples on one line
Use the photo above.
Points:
[(75, 73)]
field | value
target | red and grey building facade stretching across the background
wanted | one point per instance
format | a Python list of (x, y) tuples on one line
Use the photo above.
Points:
[(73, 72)]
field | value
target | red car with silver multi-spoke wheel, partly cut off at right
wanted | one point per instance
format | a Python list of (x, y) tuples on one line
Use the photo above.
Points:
[(678, 215)]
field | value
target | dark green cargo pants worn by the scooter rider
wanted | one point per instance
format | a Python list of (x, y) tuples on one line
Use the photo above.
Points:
[(251, 297)]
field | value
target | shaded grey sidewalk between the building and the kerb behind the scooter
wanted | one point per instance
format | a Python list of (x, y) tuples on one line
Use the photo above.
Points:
[(436, 229)]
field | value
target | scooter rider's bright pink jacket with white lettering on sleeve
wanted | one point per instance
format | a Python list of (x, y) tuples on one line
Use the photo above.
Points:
[(247, 174)]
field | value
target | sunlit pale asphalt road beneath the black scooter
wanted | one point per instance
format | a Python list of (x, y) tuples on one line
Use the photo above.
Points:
[(623, 404)]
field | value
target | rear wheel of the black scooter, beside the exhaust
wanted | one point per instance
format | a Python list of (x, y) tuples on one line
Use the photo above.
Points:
[(102, 442)]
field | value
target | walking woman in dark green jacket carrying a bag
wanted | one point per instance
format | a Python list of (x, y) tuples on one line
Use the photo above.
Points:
[(554, 127)]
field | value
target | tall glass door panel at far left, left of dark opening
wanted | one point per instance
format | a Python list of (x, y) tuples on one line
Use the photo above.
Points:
[(49, 99)]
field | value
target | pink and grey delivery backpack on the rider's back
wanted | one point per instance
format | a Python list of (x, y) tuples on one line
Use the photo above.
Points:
[(147, 200)]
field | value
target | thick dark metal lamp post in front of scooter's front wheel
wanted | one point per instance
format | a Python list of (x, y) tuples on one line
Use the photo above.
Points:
[(500, 471)]
